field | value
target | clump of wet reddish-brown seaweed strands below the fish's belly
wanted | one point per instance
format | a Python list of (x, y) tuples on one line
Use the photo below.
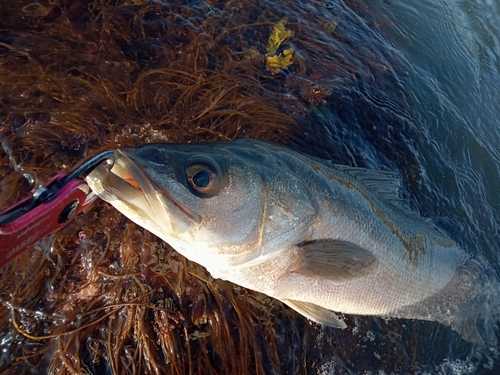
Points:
[(83, 318)]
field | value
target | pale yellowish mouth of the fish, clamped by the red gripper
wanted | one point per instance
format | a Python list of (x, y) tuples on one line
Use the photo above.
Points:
[(124, 184)]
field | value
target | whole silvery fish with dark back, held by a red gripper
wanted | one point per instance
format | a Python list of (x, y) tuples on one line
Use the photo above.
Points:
[(325, 239)]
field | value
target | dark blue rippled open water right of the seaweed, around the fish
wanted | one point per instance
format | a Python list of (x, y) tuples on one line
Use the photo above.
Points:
[(438, 126)]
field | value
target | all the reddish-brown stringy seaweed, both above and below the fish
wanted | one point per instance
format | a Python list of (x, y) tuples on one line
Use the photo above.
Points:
[(102, 295)]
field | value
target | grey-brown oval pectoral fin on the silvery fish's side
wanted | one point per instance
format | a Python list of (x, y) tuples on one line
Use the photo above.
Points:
[(334, 260)]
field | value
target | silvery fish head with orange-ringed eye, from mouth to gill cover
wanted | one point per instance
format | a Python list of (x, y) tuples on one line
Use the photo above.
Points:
[(217, 204)]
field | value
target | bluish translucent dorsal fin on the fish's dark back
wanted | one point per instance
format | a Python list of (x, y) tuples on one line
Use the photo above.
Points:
[(384, 183)]
